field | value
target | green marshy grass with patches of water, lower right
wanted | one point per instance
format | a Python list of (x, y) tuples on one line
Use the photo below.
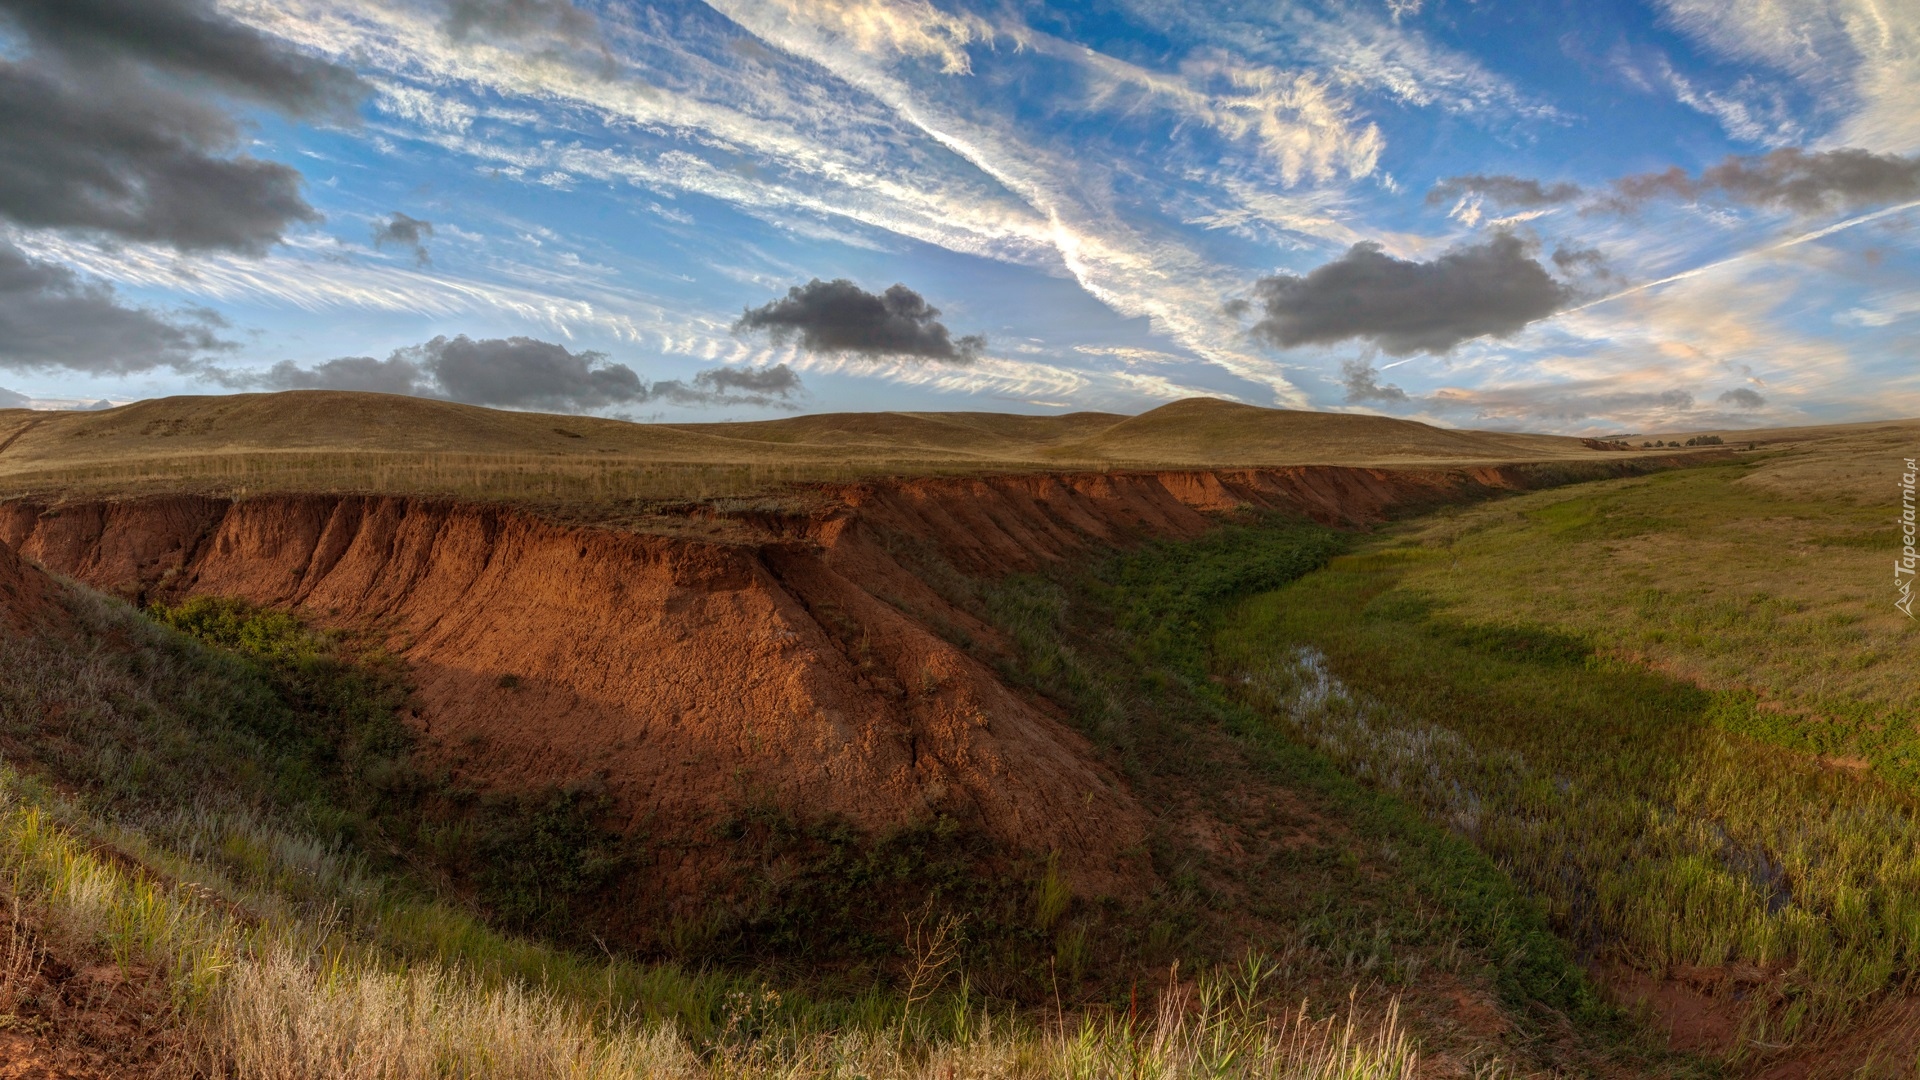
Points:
[(1639, 808)]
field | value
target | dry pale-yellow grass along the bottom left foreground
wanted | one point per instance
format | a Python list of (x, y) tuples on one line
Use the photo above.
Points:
[(264, 996)]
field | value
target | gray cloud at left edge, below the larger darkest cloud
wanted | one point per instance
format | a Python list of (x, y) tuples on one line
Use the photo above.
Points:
[(55, 318)]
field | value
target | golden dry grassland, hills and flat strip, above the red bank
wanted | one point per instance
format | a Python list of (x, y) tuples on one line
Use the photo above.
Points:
[(333, 441)]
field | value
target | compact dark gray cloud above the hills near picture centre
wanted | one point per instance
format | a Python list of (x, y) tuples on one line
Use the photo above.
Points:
[(842, 318)]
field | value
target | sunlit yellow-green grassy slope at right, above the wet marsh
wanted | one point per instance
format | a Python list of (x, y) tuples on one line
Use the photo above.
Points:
[(1717, 576)]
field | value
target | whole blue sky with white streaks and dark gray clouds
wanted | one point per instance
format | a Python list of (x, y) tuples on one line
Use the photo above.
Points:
[(1591, 218)]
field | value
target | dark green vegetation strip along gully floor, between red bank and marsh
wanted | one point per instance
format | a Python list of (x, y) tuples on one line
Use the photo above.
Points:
[(1128, 649)]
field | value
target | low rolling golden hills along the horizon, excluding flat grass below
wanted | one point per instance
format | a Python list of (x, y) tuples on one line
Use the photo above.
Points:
[(1191, 433)]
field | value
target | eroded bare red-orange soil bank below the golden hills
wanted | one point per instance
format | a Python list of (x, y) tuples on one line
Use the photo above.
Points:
[(798, 668)]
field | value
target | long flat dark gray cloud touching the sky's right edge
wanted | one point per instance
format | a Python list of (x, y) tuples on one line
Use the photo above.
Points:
[(1783, 180)]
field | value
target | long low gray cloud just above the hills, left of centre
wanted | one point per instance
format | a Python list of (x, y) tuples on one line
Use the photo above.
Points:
[(521, 374)]
